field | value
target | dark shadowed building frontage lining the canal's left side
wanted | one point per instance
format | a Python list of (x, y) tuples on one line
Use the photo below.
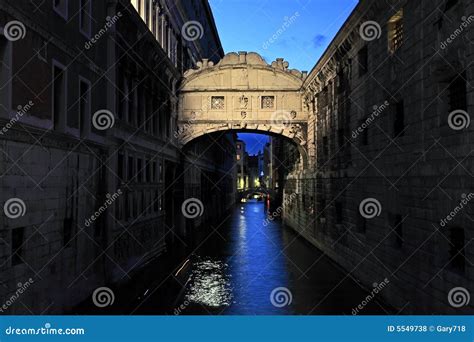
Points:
[(89, 143)]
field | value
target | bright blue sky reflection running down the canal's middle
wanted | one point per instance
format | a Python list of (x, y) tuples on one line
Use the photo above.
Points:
[(256, 261)]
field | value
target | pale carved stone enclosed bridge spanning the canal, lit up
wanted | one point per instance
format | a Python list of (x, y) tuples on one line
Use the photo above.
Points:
[(243, 93)]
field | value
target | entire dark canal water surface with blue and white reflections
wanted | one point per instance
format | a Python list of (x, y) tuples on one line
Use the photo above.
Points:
[(244, 265)]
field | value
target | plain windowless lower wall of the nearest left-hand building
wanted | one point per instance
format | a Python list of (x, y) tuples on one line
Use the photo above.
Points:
[(56, 186)]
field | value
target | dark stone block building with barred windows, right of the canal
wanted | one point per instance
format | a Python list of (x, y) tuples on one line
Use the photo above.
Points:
[(388, 124)]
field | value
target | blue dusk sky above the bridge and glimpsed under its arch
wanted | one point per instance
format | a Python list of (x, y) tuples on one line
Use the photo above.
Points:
[(247, 25)]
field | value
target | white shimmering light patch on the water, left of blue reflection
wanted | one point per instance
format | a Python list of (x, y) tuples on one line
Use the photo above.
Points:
[(209, 284)]
